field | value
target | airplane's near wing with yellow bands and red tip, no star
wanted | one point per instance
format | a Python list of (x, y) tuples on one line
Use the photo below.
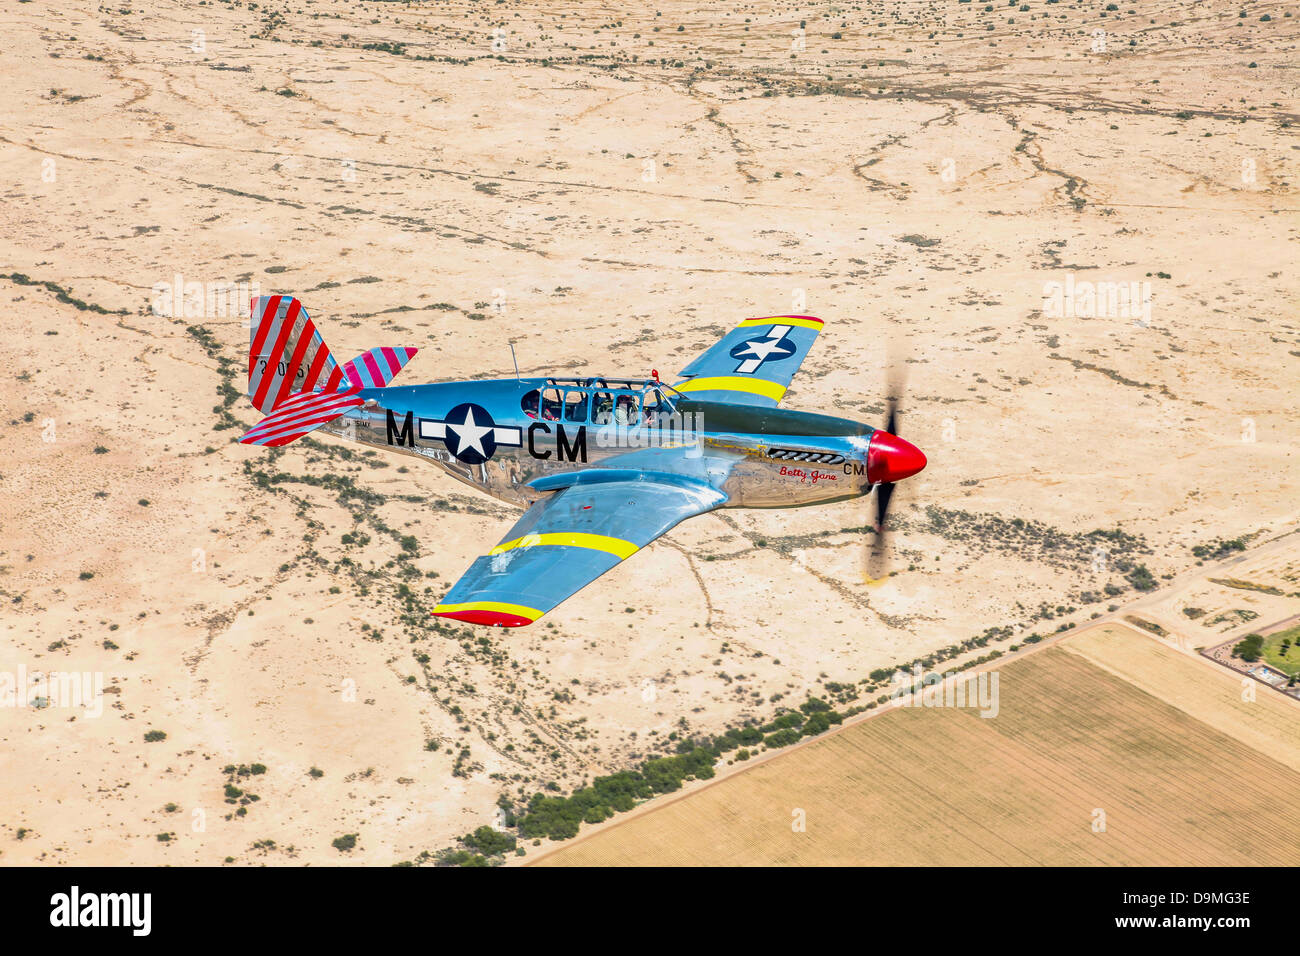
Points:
[(566, 542)]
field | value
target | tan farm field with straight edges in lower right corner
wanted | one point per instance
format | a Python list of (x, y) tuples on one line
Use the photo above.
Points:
[(1182, 769)]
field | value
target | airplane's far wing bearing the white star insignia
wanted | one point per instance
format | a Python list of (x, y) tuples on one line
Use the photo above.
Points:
[(755, 362)]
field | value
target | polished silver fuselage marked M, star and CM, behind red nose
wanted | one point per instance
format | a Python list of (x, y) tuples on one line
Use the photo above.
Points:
[(515, 439)]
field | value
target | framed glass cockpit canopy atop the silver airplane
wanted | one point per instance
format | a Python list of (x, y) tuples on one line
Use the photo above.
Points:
[(627, 403)]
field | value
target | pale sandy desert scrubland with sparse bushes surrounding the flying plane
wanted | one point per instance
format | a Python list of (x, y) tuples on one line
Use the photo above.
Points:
[(918, 171)]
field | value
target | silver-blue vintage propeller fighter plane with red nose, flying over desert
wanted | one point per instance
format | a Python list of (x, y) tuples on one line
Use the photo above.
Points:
[(601, 466)]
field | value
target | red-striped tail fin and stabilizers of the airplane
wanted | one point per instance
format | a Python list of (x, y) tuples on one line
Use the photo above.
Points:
[(294, 379)]
